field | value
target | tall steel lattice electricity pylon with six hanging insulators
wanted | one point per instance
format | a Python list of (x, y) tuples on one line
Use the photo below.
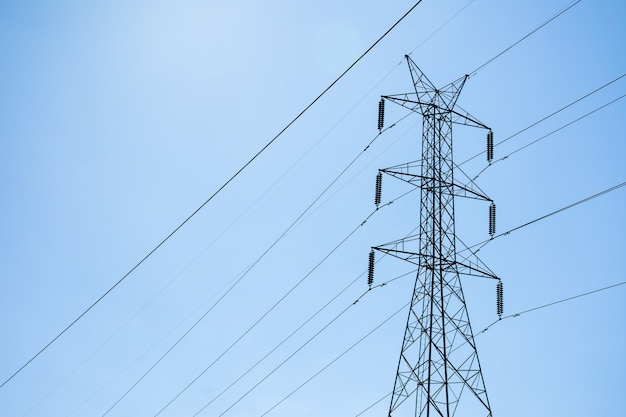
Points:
[(438, 371)]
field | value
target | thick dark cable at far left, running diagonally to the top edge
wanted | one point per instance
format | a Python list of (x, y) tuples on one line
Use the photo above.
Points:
[(213, 195)]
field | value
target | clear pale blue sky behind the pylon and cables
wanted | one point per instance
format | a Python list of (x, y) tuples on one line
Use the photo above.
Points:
[(120, 118)]
